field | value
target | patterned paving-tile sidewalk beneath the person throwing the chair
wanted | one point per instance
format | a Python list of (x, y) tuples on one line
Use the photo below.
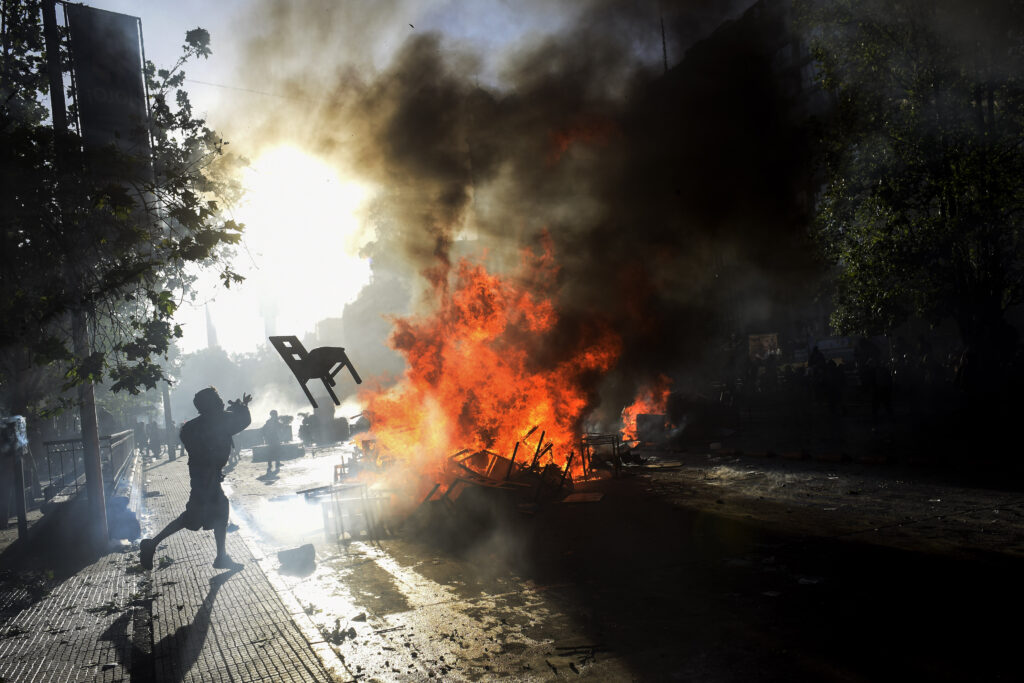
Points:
[(185, 621)]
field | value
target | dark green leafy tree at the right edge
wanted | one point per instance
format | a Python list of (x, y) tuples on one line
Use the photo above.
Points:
[(923, 208)]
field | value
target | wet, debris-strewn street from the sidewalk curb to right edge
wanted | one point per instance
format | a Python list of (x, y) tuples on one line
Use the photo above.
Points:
[(724, 569)]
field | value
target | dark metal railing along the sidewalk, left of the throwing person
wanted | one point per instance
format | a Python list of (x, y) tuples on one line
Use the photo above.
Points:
[(66, 463)]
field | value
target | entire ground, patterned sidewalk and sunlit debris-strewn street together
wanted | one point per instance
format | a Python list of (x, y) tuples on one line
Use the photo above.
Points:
[(721, 568)]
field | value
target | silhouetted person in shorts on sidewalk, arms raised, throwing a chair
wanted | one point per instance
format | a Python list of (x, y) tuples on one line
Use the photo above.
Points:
[(208, 442)]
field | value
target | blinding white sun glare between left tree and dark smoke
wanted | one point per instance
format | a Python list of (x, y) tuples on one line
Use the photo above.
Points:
[(300, 252)]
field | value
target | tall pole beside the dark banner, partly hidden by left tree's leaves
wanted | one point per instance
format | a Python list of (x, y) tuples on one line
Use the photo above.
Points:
[(87, 395)]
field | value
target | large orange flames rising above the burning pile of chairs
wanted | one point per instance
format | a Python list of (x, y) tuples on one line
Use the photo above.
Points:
[(476, 379)]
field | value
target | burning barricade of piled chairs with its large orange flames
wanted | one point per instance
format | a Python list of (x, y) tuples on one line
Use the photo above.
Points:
[(493, 401)]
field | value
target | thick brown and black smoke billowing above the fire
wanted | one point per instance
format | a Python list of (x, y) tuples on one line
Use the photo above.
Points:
[(651, 186)]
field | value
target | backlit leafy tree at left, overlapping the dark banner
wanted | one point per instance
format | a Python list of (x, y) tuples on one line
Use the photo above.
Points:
[(94, 234)]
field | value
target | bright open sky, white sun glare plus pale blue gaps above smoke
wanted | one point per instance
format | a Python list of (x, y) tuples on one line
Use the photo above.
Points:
[(300, 257)]
